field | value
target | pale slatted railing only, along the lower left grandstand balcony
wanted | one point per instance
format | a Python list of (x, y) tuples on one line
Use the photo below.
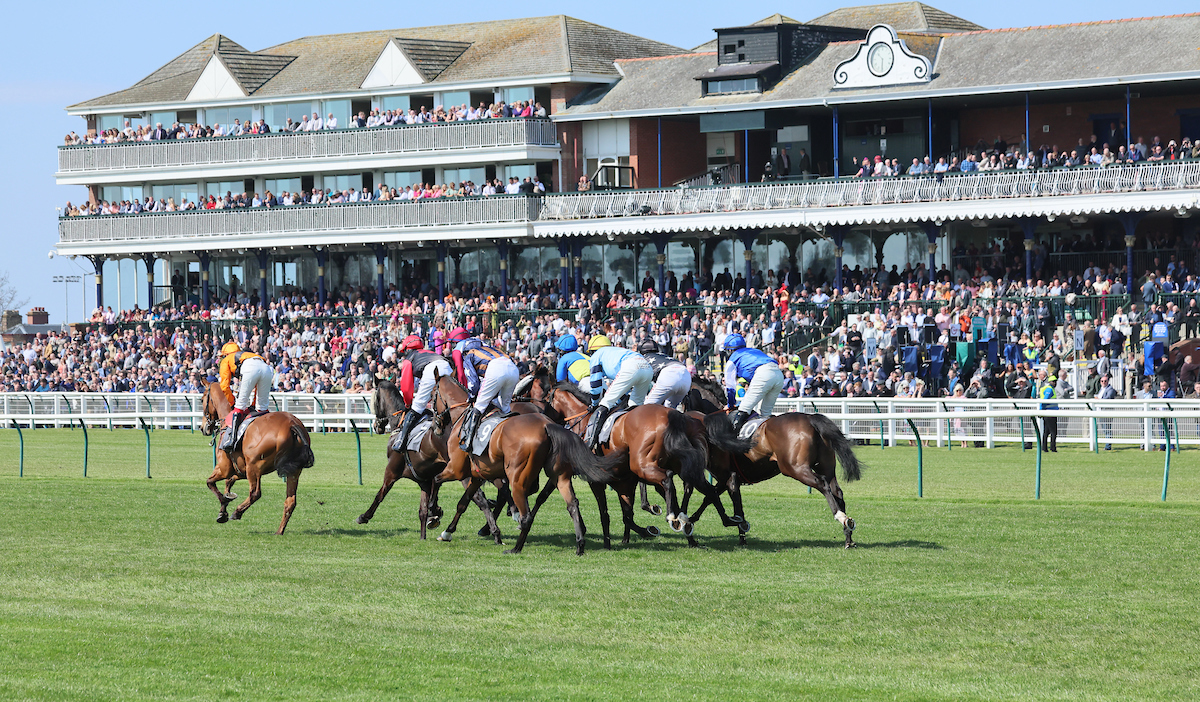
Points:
[(301, 220)]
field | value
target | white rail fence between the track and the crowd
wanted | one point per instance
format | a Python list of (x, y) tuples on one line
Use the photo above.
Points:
[(991, 422)]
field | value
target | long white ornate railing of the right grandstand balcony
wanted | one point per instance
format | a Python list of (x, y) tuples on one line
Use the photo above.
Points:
[(874, 191)]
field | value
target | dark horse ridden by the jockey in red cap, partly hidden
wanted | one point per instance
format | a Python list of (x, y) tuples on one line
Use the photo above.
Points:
[(421, 466)]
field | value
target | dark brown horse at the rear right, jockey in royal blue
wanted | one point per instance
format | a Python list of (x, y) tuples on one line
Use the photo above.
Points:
[(803, 447)]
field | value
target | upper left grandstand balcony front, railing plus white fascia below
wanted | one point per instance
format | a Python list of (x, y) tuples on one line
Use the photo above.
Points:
[(395, 148)]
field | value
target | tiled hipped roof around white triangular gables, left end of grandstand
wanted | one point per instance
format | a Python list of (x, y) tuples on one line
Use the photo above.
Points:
[(507, 49)]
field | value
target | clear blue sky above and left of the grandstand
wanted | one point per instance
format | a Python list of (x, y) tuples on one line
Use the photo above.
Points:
[(68, 52)]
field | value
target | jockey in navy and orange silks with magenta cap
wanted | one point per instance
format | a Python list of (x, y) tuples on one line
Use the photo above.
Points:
[(489, 375)]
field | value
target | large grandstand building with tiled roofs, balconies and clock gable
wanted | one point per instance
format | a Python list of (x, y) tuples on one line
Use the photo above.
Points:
[(742, 154)]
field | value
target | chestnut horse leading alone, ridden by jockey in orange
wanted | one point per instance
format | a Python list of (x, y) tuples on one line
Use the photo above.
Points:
[(275, 442)]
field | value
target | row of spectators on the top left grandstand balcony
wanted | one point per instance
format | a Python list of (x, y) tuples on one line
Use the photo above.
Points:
[(377, 118)]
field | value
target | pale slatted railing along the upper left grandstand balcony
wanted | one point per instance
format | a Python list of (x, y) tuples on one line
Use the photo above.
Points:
[(307, 146)]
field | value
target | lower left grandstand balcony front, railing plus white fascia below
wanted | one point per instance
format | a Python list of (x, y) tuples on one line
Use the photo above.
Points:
[(413, 221)]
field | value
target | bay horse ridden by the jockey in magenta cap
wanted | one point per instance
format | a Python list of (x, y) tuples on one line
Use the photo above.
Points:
[(520, 449)]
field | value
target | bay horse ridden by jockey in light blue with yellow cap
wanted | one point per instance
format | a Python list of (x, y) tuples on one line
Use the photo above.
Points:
[(662, 443)]
